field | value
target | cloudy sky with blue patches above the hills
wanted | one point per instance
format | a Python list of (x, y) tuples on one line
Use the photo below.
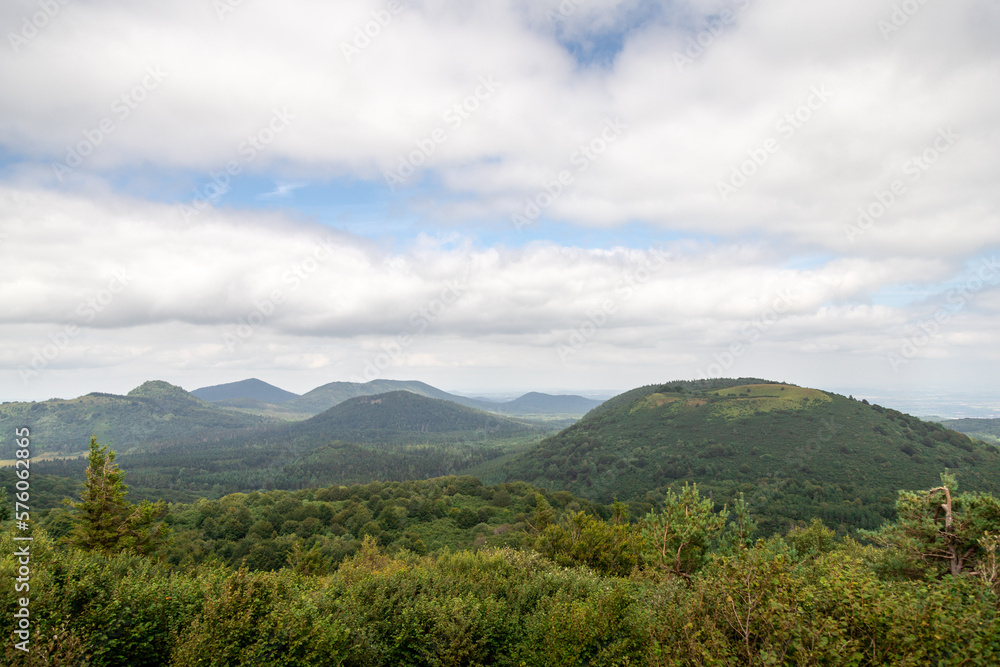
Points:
[(500, 195)]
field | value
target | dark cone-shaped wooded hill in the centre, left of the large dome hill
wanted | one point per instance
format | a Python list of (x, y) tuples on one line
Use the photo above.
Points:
[(403, 414)]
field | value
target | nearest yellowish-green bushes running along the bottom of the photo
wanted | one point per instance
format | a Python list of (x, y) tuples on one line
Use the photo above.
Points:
[(762, 605)]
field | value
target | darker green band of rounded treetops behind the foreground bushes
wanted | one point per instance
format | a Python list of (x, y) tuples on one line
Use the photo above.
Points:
[(314, 530)]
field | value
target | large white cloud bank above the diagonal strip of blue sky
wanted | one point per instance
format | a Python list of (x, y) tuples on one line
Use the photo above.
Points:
[(691, 126)]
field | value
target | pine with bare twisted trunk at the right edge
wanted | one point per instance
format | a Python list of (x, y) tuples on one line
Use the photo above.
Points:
[(939, 531)]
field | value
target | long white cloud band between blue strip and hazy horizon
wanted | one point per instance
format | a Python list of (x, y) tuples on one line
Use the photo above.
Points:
[(246, 290)]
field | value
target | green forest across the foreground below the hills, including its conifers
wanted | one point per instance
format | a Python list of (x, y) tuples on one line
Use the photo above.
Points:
[(450, 571)]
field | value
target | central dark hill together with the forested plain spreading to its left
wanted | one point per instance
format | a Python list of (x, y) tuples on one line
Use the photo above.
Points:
[(394, 436)]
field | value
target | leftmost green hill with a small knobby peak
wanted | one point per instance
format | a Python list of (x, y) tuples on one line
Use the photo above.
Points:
[(154, 411)]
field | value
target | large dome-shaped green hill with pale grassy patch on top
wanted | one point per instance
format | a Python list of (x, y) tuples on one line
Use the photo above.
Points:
[(794, 450)]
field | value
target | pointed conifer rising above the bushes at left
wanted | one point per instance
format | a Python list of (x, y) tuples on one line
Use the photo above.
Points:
[(105, 521)]
